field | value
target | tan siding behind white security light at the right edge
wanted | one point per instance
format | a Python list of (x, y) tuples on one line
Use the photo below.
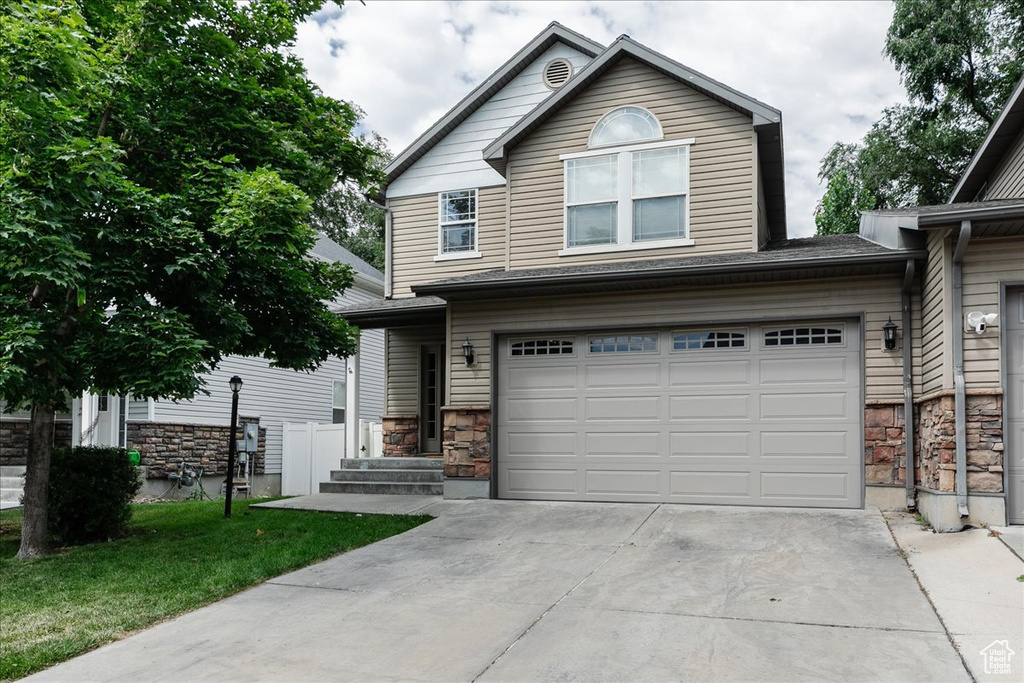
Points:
[(988, 265)]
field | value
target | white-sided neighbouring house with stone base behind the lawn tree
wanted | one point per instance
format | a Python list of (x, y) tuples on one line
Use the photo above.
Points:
[(166, 433)]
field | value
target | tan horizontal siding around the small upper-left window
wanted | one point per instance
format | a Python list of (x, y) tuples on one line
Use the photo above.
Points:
[(414, 238)]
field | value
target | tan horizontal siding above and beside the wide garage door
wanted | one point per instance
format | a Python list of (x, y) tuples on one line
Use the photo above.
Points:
[(877, 298)]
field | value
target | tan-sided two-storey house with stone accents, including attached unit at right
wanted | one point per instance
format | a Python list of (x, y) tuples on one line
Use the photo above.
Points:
[(591, 296)]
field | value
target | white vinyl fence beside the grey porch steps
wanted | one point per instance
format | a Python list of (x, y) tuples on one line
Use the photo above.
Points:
[(310, 452)]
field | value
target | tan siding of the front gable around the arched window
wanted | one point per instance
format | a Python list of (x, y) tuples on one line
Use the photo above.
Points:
[(722, 186)]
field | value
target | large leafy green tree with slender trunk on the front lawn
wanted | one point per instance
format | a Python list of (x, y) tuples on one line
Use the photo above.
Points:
[(159, 160)]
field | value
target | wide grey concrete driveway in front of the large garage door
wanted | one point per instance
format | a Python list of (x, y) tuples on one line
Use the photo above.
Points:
[(505, 591)]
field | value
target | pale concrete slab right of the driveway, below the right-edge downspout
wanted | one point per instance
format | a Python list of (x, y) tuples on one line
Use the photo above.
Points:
[(971, 578)]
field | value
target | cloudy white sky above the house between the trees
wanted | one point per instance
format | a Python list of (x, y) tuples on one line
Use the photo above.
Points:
[(406, 64)]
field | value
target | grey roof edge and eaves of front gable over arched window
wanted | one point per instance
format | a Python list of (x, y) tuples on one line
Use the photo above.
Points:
[(767, 120)]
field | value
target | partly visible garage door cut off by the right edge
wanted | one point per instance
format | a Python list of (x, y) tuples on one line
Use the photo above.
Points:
[(1015, 405)]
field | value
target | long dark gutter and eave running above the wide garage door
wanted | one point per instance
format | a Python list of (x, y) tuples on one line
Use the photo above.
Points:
[(527, 285)]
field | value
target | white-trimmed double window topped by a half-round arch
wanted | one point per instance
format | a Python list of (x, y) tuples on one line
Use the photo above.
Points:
[(632, 197)]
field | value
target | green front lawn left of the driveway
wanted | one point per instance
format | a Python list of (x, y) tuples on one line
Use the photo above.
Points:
[(178, 558)]
